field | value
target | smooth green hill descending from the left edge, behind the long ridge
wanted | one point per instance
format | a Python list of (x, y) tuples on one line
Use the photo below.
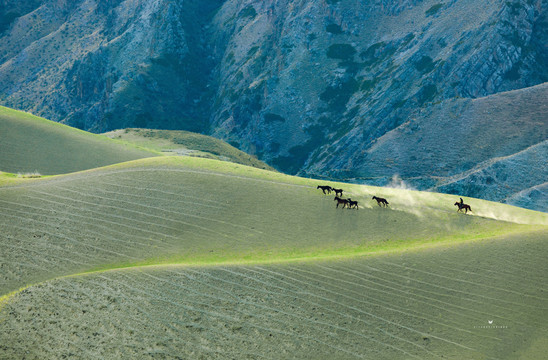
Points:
[(30, 144)]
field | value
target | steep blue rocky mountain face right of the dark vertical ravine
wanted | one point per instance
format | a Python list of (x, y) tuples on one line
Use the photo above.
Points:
[(311, 86)]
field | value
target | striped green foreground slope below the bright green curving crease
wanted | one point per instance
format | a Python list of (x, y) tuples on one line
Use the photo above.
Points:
[(338, 308)]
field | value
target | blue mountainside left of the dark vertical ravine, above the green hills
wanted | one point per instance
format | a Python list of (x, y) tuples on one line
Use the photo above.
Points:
[(102, 65)]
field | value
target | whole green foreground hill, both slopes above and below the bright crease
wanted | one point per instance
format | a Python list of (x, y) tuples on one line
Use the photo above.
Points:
[(189, 257)]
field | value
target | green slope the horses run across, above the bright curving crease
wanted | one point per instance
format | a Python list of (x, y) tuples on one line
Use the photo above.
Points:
[(199, 211)]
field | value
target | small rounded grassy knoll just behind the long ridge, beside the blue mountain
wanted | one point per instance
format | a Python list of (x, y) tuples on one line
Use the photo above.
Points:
[(178, 142)]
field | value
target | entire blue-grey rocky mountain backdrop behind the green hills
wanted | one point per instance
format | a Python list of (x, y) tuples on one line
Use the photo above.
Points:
[(447, 94)]
